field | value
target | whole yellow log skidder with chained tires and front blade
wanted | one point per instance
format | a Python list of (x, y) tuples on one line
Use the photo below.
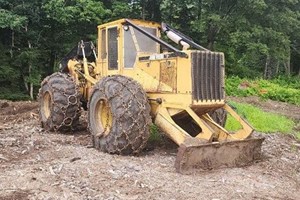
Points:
[(136, 77)]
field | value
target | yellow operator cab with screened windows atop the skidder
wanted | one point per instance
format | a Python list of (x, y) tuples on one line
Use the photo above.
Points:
[(117, 52)]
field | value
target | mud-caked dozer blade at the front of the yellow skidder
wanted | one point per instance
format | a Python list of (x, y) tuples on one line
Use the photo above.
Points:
[(237, 153)]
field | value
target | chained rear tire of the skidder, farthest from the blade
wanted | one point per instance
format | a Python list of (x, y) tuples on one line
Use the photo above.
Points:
[(59, 101)]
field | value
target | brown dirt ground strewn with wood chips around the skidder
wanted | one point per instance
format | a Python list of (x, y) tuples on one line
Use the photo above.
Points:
[(35, 164)]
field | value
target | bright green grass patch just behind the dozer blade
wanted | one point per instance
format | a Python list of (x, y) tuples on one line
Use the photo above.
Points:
[(260, 120)]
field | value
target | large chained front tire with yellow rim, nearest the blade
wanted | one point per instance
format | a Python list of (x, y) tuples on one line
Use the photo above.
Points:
[(119, 115)]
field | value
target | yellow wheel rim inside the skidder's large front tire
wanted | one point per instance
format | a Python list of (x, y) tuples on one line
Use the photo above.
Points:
[(103, 117)]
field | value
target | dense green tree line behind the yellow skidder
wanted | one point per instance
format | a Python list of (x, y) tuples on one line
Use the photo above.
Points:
[(260, 38)]
